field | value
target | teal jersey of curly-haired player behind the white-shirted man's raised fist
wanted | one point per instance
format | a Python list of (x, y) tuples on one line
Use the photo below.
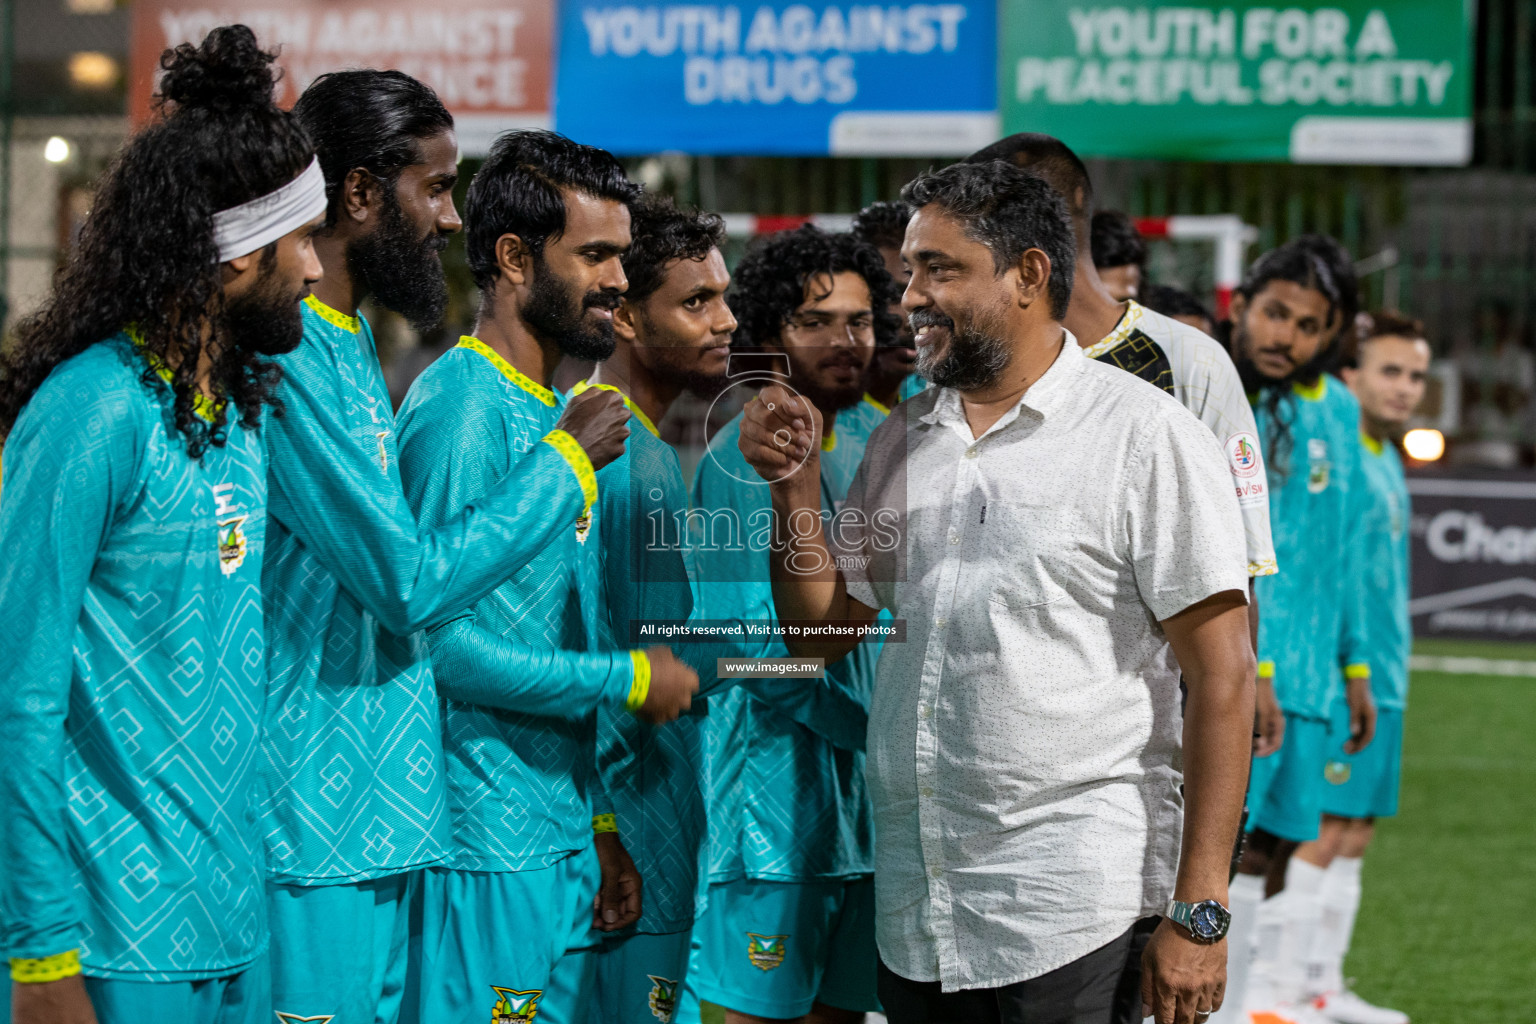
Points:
[(787, 794)]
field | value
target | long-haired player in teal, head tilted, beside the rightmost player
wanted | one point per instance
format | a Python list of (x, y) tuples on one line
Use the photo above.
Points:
[(1286, 315)]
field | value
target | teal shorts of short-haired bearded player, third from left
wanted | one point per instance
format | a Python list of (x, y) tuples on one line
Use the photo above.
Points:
[(492, 942)]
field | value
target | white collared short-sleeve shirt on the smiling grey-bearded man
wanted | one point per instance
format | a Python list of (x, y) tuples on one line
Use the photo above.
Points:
[(1024, 748)]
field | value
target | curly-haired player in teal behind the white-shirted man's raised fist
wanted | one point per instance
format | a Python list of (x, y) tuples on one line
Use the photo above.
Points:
[(790, 837)]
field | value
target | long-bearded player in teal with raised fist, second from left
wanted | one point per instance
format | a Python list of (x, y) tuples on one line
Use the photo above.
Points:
[(353, 751)]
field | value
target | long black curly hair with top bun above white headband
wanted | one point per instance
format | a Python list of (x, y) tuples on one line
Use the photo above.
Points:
[(147, 256)]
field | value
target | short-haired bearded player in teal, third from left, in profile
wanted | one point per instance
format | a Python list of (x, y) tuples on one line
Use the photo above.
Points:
[(549, 222)]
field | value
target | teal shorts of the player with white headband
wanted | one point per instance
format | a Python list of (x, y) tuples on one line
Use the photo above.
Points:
[(240, 999)]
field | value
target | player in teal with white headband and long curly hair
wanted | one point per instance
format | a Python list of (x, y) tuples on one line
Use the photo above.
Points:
[(133, 533)]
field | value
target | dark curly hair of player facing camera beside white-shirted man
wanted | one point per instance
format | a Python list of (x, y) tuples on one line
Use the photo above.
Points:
[(770, 283)]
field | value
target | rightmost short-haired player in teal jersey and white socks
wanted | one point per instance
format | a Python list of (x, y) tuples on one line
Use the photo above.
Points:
[(1388, 372)]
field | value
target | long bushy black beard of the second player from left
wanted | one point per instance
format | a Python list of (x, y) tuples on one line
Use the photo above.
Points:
[(400, 269)]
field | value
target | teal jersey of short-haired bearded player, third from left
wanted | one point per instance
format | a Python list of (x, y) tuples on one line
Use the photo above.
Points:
[(520, 744)]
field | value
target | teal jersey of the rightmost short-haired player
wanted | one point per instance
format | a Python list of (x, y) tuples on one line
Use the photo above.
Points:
[(1385, 553)]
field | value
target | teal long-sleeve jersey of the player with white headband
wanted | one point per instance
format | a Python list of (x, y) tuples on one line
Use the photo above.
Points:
[(131, 592)]
